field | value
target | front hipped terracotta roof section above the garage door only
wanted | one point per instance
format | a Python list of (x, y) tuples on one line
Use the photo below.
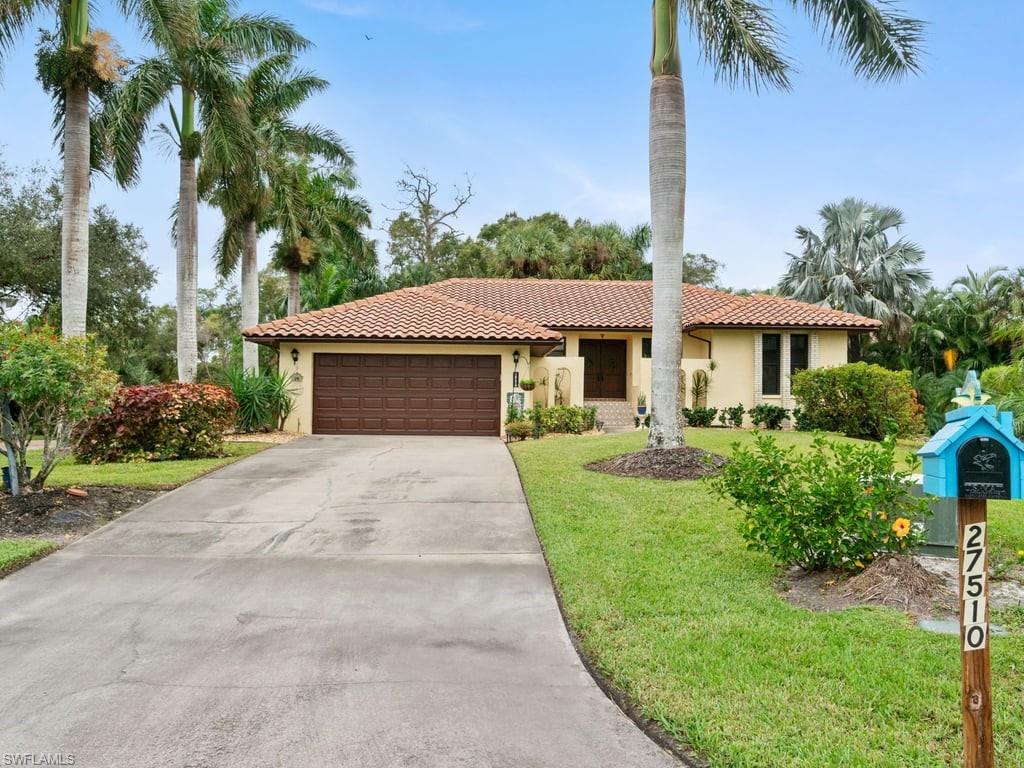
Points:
[(409, 314)]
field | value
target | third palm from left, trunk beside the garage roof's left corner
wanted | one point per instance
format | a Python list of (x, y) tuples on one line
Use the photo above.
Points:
[(274, 91)]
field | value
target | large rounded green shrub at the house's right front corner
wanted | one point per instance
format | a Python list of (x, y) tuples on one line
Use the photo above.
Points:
[(859, 401)]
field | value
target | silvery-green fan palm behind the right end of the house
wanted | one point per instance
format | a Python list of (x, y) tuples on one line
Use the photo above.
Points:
[(854, 267)]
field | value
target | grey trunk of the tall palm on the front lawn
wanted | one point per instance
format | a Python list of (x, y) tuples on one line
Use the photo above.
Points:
[(668, 190)]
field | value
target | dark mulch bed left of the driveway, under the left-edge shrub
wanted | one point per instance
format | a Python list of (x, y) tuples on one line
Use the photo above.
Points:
[(54, 514)]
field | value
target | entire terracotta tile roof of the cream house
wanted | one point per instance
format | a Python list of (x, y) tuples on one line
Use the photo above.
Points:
[(464, 310)]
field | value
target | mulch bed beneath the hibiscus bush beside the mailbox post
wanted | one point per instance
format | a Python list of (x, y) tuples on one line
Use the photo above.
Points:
[(895, 581)]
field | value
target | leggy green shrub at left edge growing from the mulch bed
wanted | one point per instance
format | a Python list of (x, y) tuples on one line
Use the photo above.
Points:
[(49, 386)]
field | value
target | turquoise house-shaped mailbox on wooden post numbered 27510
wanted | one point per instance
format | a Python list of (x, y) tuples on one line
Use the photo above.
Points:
[(975, 457)]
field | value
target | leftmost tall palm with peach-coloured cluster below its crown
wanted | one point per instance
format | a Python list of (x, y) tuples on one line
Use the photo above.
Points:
[(72, 64)]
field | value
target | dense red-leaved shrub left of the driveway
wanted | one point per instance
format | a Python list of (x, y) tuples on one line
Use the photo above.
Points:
[(165, 421)]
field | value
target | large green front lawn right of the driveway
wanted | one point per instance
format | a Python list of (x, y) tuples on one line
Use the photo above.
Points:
[(673, 609)]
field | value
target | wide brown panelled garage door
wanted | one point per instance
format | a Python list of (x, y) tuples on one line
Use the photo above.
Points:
[(407, 395)]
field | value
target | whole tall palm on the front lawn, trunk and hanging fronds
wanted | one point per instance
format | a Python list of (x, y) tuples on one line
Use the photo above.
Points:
[(741, 40)]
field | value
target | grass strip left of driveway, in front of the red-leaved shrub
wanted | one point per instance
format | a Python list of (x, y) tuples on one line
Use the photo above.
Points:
[(166, 475)]
